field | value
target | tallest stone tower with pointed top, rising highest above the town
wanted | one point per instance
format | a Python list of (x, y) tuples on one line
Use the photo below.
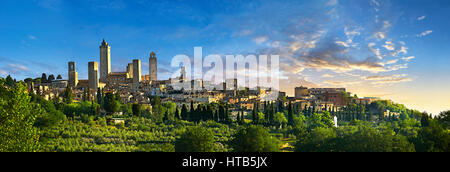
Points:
[(105, 61)]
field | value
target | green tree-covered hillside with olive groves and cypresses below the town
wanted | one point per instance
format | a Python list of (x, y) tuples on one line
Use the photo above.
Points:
[(30, 123)]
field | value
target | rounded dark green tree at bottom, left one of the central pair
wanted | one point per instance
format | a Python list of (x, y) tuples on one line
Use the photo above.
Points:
[(196, 139)]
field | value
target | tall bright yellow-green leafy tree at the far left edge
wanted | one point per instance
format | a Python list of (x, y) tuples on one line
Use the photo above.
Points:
[(17, 116)]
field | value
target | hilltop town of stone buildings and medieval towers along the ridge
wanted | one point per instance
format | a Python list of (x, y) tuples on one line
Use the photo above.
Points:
[(134, 87)]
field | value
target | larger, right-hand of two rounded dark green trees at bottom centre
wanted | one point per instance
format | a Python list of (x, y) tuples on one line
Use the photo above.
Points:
[(254, 139)]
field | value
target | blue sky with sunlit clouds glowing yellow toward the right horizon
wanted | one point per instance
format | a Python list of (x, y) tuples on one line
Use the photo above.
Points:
[(393, 49)]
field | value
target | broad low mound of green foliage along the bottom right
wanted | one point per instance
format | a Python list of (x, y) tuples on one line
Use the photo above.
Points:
[(360, 137)]
